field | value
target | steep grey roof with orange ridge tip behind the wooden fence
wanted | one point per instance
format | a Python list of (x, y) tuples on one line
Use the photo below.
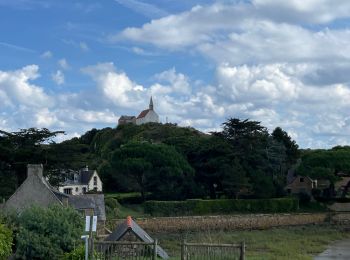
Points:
[(129, 225)]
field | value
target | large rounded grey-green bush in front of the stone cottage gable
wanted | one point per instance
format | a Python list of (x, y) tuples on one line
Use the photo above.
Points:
[(47, 233)]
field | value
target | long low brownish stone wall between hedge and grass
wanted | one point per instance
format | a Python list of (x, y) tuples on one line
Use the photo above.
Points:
[(233, 222)]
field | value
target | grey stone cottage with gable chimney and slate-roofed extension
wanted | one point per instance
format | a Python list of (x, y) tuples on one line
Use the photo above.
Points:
[(35, 190)]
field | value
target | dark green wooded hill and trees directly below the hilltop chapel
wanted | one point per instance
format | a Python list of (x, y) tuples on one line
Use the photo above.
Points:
[(162, 161)]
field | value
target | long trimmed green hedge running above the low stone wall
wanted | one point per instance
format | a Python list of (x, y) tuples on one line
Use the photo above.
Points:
[(223, 206)]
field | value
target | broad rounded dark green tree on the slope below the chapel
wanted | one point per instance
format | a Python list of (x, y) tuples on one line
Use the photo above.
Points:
[(155, 168)]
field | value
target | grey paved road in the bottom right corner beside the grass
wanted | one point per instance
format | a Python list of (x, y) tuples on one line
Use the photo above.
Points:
[(339, 250)]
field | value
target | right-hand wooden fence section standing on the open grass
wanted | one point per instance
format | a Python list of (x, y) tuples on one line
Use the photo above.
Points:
[(194, 251)]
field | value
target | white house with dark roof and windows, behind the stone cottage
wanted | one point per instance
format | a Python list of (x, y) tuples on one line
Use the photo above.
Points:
[(81, 182)]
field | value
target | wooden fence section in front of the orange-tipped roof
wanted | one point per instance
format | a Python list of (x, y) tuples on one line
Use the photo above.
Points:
[(125, 250)]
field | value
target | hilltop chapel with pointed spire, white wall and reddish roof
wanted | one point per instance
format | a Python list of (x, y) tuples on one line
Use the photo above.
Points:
[(146, 116)]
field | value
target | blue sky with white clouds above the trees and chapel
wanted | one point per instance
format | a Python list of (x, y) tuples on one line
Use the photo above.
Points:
[(74, 65)]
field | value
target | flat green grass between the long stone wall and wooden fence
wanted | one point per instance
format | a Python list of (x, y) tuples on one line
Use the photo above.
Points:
[(302, 242)]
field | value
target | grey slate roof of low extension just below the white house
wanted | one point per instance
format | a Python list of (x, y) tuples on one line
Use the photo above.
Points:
[(89, 201)]
